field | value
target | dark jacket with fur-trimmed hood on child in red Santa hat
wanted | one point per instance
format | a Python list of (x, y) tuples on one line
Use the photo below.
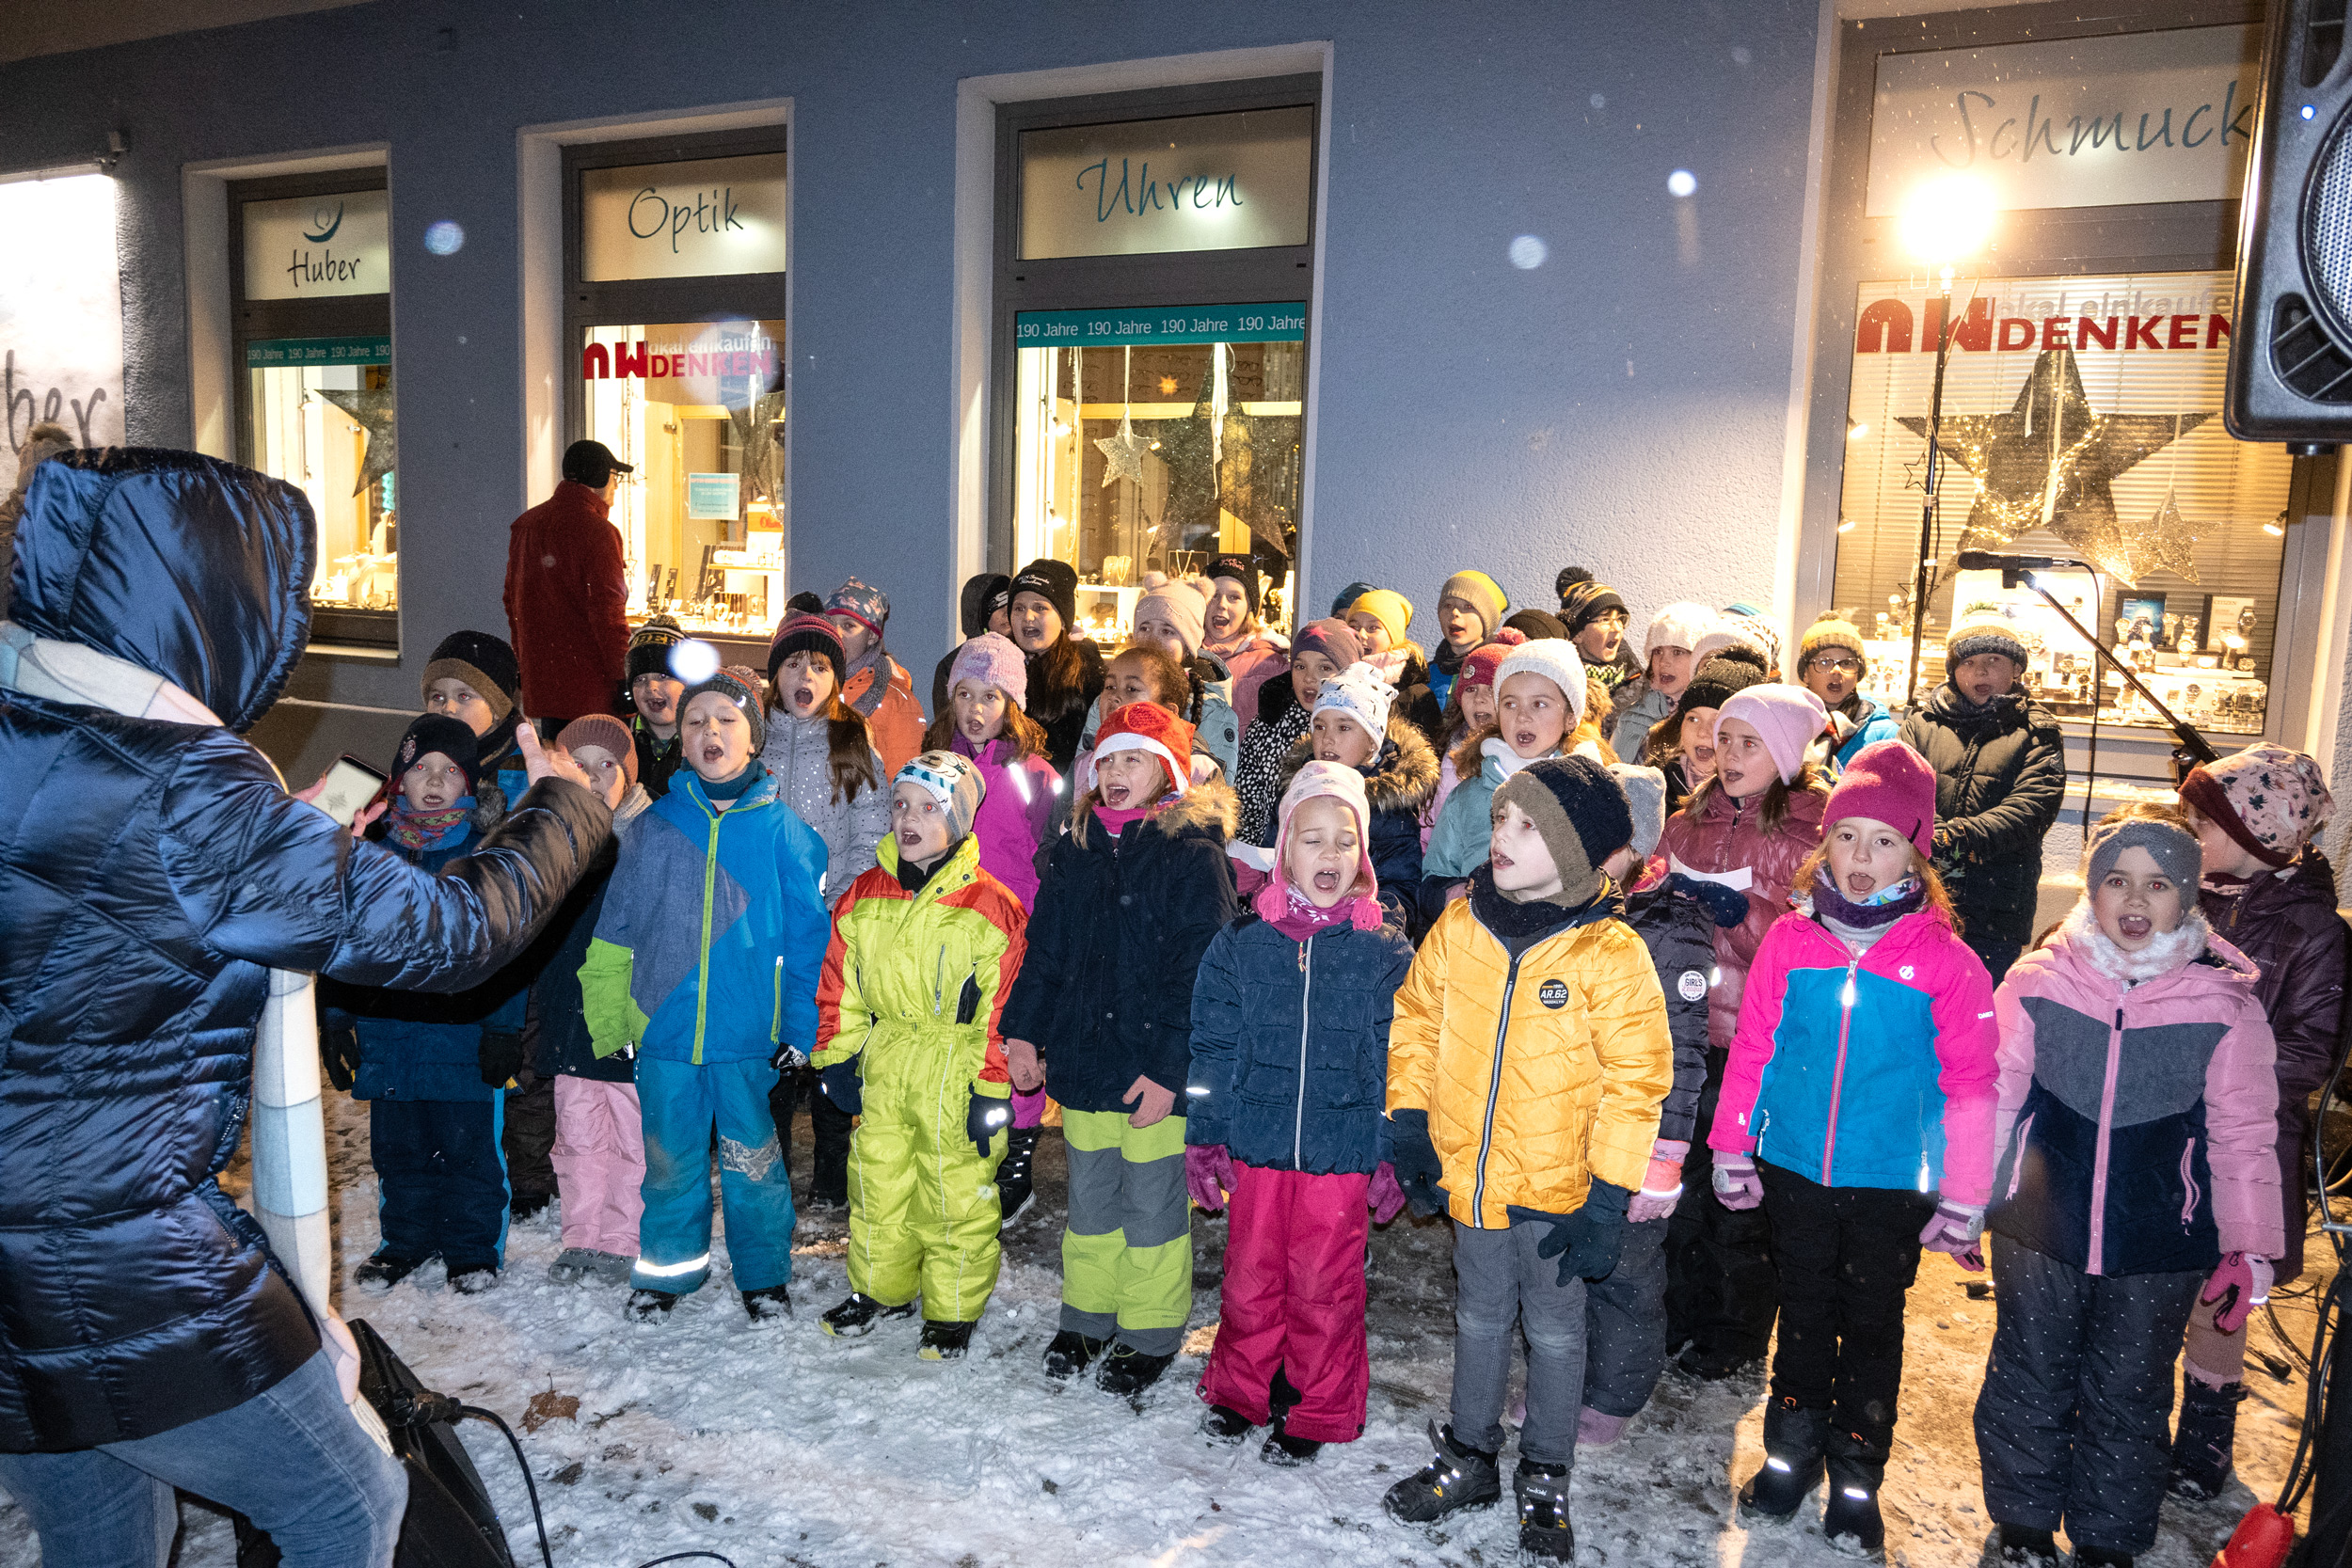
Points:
[(1114, 946)]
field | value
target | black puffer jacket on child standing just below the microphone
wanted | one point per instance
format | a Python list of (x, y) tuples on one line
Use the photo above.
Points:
[(2000, 779)]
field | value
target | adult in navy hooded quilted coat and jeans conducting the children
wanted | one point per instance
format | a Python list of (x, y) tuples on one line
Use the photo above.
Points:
[(166, 909)]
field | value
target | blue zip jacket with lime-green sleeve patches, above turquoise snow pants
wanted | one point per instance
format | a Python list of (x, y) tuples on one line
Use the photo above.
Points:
[(714, 932)]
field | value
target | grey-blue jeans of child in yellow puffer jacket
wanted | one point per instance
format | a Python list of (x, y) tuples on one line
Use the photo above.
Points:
[(1499, 1280)]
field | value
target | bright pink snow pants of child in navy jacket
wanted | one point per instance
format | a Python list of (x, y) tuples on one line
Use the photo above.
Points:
[(1295, 1301)]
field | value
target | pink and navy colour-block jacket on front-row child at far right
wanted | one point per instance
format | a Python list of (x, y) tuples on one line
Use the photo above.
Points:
[(2137, 1104)]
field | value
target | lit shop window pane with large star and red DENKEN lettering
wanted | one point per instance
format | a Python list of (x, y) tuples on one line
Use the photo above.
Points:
[(2080, 420)]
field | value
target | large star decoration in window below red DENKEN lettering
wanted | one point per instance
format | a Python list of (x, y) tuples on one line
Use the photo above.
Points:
[(2050, 460)]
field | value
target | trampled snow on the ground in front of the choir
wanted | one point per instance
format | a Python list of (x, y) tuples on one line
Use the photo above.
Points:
[(787, 1447)]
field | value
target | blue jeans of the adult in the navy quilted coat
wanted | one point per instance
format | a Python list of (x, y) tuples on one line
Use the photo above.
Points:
[(290, 1459)]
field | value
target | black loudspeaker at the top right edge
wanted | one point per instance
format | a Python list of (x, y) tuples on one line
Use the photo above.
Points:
[(2292, 349)]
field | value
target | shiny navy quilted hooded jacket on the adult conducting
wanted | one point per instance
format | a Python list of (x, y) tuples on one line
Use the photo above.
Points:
[(154, 873)]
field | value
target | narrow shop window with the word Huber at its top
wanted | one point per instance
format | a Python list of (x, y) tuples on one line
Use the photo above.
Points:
[(316, 398)]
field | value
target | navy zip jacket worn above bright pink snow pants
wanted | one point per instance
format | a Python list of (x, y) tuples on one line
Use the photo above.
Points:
[(1290, 1045)]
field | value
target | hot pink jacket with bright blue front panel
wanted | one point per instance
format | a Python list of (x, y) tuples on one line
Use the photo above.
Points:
[(1866, 1071)]
